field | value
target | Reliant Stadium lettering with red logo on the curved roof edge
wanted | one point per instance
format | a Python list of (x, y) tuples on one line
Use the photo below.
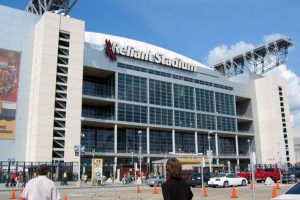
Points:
[(114, 48)]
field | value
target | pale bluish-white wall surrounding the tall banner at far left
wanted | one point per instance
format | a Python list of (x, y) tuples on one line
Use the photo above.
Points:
[(17, 33)]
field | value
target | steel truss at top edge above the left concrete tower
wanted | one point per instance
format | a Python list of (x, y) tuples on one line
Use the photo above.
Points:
[(41, 6)]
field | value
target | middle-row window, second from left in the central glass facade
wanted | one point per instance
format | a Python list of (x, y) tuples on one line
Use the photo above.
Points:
[(161, 116)]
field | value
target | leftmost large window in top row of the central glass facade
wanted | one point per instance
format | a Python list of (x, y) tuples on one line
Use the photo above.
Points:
[(132, 88)]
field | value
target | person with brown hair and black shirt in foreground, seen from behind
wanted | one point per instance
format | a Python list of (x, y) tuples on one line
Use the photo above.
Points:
[(175, 188)]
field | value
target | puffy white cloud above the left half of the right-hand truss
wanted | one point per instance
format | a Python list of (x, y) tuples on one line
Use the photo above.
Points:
[(223, 52)]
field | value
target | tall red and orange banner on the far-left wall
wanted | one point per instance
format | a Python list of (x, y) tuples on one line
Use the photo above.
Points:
[(9, 74)]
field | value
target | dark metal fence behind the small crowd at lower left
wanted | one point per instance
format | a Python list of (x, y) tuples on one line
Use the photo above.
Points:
[(56, 170)]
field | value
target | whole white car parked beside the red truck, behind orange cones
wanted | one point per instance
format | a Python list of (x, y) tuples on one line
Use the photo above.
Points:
[(225, 180)]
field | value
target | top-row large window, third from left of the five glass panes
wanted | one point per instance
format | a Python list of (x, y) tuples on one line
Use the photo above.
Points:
[(183, 97)]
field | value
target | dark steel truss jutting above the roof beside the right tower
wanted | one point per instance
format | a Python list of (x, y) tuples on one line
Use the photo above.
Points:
[(258, 60)]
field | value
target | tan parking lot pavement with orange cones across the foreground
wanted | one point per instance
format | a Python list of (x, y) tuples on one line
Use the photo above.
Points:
[(129, 192)]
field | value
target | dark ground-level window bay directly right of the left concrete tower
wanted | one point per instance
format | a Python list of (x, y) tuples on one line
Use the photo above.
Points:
[(99, 139)]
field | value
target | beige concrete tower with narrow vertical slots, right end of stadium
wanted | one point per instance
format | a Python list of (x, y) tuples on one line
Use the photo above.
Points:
[(270, 122)]
